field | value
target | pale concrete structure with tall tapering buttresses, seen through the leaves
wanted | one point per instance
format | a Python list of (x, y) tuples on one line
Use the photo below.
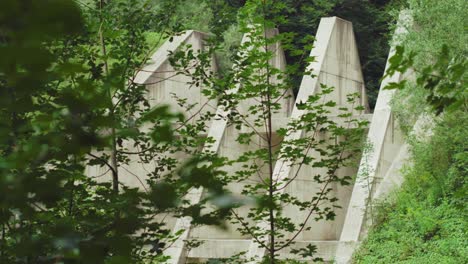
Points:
[(336, 65)]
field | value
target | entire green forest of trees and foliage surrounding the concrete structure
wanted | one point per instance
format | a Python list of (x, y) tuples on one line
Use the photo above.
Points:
[(69, 101)]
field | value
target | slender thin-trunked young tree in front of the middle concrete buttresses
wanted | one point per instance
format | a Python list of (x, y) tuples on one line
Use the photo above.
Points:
[(253, 95)]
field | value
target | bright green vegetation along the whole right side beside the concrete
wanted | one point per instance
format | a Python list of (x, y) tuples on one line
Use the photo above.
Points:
[(426, 221)]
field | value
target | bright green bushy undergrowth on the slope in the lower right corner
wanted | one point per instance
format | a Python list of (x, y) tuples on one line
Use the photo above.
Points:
[(425, 222)]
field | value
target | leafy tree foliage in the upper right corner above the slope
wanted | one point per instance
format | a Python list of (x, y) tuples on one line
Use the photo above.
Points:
[(436, 54)]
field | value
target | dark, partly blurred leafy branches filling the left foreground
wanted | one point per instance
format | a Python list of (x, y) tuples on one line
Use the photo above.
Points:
[(69, 102)]
